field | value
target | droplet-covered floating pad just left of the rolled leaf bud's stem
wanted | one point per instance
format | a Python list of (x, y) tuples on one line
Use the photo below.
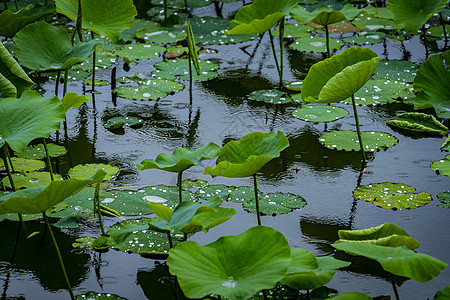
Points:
[(149, 89)]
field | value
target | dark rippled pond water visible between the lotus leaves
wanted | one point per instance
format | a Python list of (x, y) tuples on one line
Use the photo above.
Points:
[(219, 112)]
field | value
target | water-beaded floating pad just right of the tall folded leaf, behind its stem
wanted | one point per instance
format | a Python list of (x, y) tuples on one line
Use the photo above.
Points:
[(379, 91)]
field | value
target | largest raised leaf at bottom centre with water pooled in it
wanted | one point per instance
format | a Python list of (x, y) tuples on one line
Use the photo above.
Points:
[(222, 267)]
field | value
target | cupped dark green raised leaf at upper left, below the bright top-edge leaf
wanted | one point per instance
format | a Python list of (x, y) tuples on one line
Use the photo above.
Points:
[(51, 48)]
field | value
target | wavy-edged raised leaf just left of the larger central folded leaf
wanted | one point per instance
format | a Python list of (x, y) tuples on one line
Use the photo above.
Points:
[(181, 159)]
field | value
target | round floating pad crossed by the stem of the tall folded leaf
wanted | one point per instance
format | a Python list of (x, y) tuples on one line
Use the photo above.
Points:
[(347, 140)]
